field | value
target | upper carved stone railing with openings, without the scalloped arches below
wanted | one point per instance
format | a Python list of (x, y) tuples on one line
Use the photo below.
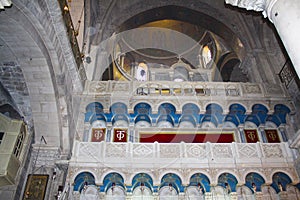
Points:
[(170, 88)]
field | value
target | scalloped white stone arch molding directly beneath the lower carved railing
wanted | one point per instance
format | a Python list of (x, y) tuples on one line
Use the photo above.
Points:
[(184, 173)]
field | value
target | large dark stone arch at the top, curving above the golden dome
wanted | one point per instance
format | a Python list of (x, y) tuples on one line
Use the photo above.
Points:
[(157, 11)]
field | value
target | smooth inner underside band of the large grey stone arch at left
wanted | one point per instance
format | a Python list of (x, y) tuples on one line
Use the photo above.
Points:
[(31, 66)]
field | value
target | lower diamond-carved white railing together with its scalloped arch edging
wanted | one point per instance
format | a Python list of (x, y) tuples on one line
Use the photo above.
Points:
[(210, 159)]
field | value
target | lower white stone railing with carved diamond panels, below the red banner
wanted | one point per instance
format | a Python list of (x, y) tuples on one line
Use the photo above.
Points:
[(176, 155)]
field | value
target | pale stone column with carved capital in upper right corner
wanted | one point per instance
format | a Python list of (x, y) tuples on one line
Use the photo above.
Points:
[(285, 15)]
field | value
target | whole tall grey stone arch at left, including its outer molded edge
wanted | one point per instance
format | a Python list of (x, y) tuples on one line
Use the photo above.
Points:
[(42, 70)]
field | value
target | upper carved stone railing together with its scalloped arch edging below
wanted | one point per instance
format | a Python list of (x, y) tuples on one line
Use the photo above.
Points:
[(130, 92)]
